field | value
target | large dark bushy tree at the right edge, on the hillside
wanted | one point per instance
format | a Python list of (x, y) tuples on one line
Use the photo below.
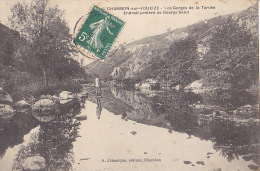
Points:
[(232, 62)]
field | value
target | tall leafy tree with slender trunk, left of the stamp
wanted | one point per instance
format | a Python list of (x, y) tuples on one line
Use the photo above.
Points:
[(45, 29)]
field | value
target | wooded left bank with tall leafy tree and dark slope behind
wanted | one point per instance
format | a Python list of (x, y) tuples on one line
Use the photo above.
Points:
[(36, 52)]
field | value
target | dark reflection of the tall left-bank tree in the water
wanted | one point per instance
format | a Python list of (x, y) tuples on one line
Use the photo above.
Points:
[(54, 140)]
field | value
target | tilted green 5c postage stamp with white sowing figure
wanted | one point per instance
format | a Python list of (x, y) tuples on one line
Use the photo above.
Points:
[(99, 32)]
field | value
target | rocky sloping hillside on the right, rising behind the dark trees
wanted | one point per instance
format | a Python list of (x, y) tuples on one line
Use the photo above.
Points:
[(145, 58)]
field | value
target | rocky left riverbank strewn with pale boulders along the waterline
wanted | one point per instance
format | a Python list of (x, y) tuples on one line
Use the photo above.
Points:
[(41, 107)]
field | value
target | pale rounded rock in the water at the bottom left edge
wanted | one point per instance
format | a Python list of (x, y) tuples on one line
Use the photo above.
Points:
[(34, 163)]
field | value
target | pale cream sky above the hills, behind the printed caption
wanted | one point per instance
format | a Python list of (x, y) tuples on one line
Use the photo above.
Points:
[(140, 26)]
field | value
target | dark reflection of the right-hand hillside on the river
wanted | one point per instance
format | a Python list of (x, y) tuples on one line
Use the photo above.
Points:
[(192, 114)]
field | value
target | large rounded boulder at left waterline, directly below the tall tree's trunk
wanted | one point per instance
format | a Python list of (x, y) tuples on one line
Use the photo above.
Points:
[(44, 106)]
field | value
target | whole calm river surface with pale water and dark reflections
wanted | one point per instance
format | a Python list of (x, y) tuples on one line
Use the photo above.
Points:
[(133, 130)]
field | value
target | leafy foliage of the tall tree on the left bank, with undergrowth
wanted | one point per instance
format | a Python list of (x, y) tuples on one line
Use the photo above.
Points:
[(48, 39)]
